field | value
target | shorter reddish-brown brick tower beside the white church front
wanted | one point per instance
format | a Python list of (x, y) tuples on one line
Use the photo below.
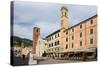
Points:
[(36, 34)]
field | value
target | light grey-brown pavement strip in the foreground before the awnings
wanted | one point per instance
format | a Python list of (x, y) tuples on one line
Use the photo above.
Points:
[(53, 61)]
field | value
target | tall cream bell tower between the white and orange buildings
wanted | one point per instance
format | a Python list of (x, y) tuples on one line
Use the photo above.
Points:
[(64, 26)]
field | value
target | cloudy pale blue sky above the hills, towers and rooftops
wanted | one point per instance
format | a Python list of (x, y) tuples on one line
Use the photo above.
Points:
[(46, 16)]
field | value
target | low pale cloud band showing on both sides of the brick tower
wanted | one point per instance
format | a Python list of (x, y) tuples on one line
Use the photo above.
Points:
[(26, 31)]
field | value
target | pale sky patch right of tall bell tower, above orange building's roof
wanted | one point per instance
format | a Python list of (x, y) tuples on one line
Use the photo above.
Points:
[(78, 13)]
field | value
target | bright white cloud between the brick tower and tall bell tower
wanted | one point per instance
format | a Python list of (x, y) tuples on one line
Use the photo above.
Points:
[(47, 27)]
